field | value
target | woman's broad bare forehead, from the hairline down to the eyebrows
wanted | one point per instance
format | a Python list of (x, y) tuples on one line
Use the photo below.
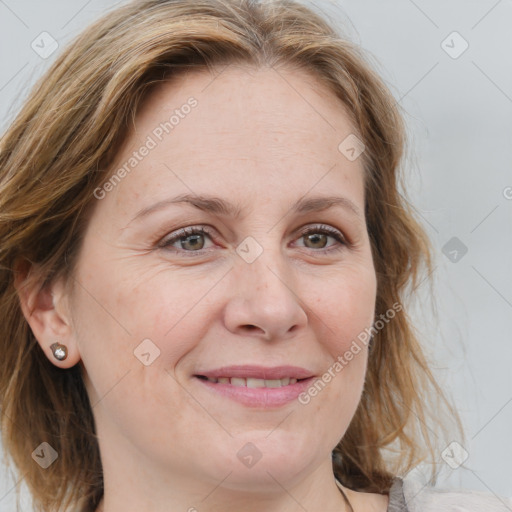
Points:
[(263, 129)]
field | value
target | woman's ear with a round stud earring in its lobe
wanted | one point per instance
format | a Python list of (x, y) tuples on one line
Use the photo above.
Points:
[(46, 310)]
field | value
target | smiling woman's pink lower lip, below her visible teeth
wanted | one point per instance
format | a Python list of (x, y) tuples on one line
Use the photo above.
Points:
[(259, 397)]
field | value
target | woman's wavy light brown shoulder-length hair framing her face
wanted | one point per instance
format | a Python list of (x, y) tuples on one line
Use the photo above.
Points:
[(55, 154)]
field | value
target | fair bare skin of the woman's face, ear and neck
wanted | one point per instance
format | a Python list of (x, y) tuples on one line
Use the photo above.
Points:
[(263, 138)]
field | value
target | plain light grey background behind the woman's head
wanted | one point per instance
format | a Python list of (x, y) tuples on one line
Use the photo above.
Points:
[(459, 113)]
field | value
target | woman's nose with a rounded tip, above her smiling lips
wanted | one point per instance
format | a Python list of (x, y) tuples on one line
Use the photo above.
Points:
[(264, 302)]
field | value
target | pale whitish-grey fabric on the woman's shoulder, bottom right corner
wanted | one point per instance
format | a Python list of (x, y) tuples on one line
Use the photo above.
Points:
[(425, 498)]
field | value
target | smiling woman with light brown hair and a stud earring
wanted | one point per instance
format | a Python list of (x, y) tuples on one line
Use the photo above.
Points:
[(205, 266)]
